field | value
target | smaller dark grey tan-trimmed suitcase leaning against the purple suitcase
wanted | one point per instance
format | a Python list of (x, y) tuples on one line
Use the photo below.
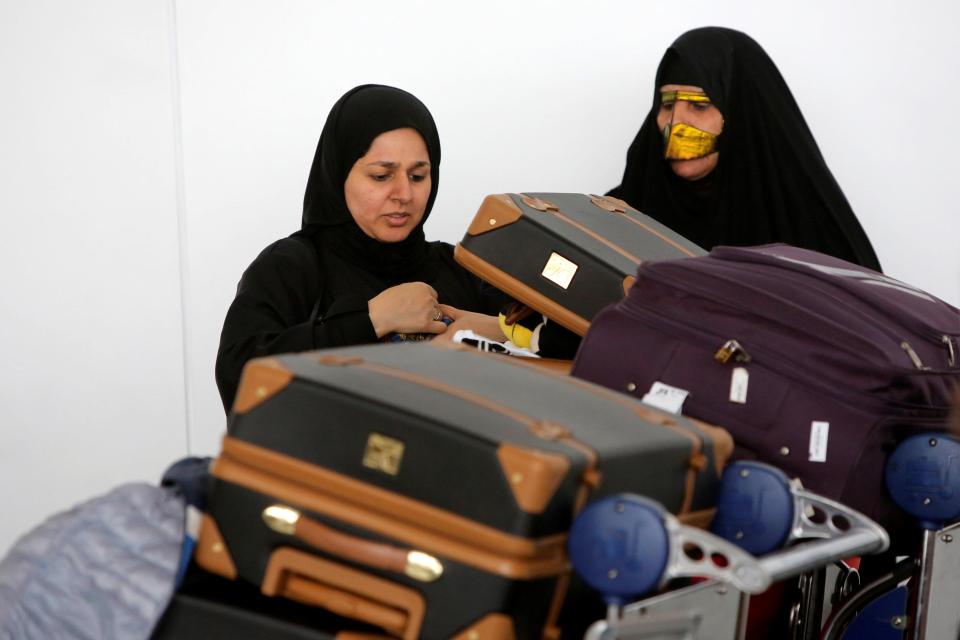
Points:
[(565, 255)]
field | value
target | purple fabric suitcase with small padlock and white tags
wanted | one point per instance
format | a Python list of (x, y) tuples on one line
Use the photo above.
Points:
[(814, 364)]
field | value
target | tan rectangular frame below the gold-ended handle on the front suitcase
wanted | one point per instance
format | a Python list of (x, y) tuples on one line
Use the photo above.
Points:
[(305, 578)]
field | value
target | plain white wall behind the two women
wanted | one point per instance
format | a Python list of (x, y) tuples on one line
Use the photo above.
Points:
[(150, 149)]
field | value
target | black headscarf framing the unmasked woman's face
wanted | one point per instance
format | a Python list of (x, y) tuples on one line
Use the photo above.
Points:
[(362, 114)]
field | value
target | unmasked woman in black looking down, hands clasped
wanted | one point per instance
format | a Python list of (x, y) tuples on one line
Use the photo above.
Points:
[(360, 269)]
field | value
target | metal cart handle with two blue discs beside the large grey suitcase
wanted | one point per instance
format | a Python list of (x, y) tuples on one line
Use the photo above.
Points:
[(626, 546)]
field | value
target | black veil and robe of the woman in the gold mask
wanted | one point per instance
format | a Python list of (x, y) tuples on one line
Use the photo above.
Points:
[(771, 183)]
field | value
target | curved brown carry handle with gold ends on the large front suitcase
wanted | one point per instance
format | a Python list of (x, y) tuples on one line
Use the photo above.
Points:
[(414, 564)]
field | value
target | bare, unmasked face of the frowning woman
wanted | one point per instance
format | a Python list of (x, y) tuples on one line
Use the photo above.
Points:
[(387, 189)]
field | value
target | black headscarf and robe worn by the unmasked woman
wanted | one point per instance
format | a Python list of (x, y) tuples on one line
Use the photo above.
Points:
[(310, 290)]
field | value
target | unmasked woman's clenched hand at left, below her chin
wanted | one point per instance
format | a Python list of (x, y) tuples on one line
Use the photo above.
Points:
[(406, 308)]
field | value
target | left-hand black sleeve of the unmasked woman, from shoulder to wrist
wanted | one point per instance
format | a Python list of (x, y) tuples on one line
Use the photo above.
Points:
[(272, 310)]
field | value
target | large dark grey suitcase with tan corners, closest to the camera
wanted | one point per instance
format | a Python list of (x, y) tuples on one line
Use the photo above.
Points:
[(473, 462)]
